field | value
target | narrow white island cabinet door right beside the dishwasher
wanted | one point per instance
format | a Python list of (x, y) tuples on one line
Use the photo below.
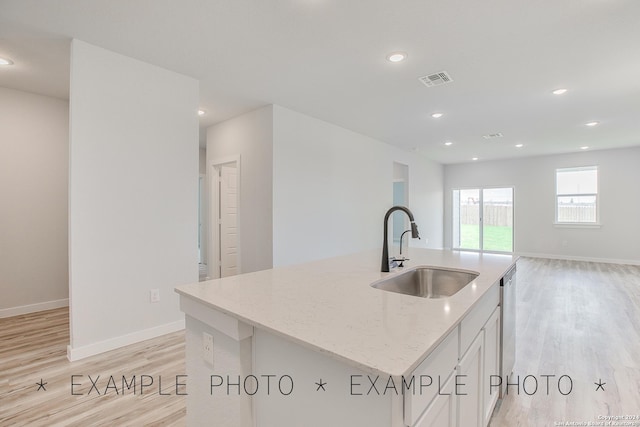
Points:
[(491, 365)]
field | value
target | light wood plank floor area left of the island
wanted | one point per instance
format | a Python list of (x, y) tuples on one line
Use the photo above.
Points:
[(33, 347)]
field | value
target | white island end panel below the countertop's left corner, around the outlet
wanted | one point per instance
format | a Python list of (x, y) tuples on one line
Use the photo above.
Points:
[(224, 405)]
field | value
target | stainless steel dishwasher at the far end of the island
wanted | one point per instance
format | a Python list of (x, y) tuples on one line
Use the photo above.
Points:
[(508, 326)]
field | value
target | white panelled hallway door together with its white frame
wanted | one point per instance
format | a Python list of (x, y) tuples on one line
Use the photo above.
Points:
[(224, 248)]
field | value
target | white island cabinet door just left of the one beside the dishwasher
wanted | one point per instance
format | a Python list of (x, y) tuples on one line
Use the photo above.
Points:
[(469, 384)]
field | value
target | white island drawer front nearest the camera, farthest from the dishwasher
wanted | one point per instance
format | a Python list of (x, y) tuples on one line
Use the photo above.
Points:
[(438, 366)]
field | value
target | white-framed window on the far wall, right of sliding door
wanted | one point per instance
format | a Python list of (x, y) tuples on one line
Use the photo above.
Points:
[(577, 195)]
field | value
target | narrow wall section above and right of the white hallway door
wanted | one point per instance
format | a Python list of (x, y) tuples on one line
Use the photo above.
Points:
[(249, 136)]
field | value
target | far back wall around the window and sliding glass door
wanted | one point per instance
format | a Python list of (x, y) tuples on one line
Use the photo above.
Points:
[(534, 214)]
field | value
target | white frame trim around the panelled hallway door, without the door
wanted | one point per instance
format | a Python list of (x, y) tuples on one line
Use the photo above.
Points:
[(213, 170)]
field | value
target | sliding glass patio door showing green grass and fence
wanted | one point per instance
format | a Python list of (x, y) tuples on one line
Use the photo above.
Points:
[(483, 219)]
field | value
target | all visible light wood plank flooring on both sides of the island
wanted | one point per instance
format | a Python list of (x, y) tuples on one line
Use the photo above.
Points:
[(576, 319)]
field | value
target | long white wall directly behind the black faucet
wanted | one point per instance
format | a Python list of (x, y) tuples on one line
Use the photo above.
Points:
[(332, 187)]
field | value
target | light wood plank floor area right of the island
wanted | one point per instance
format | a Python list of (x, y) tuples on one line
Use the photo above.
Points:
[(581, 320)]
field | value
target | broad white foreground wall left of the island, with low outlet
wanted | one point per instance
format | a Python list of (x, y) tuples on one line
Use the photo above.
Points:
[(133, 197)]
